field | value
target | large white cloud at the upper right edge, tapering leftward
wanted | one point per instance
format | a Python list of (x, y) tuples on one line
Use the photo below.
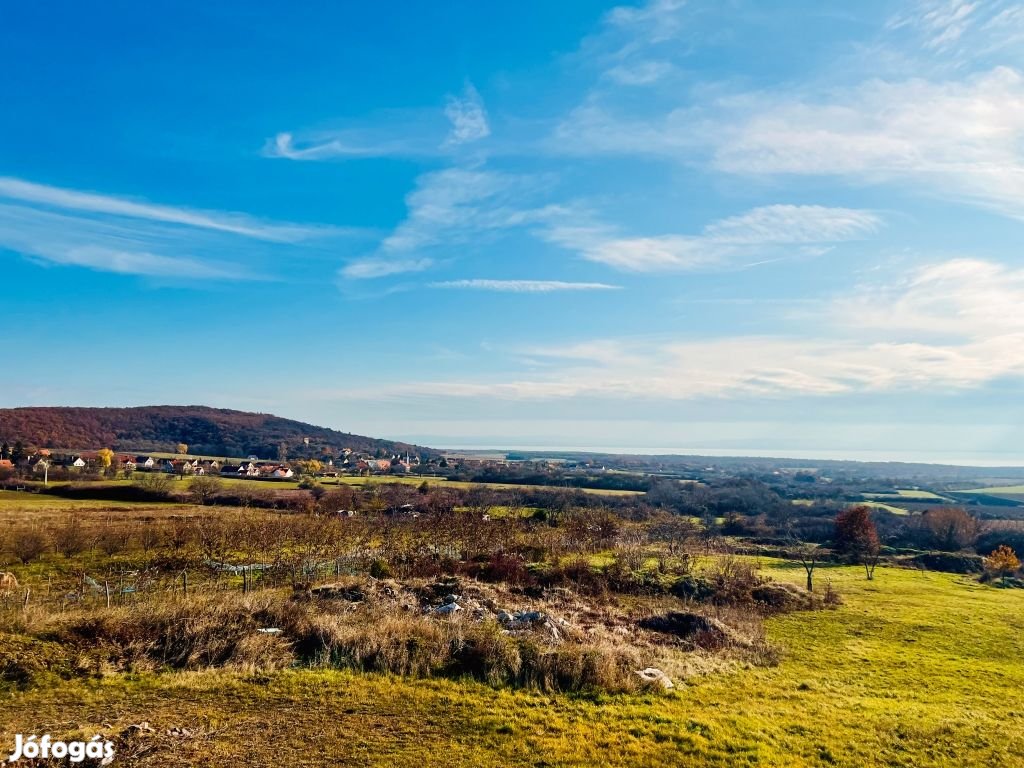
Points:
[(961, 140)]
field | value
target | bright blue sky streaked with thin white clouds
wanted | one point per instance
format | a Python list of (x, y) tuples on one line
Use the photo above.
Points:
[(736, 228)]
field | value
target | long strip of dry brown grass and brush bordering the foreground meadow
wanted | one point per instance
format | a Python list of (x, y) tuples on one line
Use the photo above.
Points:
[(222, 631)]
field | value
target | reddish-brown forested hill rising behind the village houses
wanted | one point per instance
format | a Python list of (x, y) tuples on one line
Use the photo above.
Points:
[(207, 432)]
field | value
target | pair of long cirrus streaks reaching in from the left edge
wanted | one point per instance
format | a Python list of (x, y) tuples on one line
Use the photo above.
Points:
[(104, 233)]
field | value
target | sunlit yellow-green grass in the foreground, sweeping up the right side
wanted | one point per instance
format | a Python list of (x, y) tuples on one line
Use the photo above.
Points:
[(916, 670)]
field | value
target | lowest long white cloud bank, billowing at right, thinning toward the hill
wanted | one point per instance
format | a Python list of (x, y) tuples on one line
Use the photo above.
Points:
[(868, 344)]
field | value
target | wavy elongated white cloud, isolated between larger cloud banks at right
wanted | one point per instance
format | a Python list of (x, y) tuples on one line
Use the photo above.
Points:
[(722, 242)]
